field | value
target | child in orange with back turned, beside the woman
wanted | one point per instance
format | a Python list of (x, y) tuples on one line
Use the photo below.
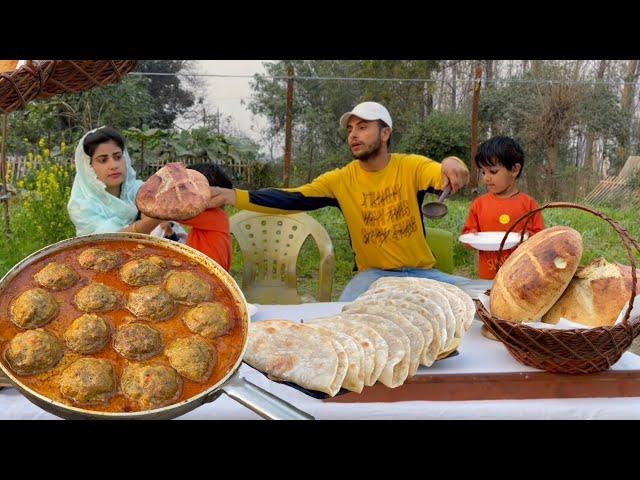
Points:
[(210, 230)]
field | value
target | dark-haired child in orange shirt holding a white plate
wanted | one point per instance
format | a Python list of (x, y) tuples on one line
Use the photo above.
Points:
[(500, 160)]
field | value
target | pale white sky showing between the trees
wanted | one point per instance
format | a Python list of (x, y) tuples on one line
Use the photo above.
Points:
[(227, 93)]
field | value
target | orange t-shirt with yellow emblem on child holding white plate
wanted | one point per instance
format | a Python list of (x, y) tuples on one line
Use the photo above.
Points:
[(489, 213)]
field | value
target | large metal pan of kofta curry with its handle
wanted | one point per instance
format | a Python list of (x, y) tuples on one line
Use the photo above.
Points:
[(124, 325)]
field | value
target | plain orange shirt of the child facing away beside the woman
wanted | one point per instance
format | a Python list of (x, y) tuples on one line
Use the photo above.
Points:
[(210, 235)]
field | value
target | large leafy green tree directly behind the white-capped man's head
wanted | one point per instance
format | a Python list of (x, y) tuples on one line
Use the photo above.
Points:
[(319, 103)]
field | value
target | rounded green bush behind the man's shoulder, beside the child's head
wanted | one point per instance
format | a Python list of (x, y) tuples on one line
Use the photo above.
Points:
[(440, 136)]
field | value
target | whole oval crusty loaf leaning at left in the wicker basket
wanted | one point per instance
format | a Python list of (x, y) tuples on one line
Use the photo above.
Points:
[(533, 278)]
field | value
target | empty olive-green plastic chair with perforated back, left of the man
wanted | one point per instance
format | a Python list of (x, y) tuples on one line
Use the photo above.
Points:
[(270, 245)]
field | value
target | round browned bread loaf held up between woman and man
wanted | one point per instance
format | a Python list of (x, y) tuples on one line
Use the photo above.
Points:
[(174, 193)]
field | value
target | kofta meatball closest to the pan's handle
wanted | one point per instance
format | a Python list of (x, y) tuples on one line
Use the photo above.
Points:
[(192, 357)]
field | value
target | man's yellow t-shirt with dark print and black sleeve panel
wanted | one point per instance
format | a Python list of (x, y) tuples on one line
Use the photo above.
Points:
[(381, 209)]
